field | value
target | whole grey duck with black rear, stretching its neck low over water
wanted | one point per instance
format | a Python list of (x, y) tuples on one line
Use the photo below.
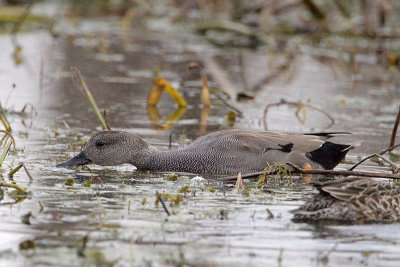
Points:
[(222, 152)]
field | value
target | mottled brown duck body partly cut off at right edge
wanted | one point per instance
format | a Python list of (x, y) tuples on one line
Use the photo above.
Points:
[(355, 200)]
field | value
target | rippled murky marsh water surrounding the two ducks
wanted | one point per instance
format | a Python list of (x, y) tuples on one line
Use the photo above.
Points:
[(116, 221)]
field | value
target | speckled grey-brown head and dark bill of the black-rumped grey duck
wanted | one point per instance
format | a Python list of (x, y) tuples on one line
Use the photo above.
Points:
[(109, 148)]
